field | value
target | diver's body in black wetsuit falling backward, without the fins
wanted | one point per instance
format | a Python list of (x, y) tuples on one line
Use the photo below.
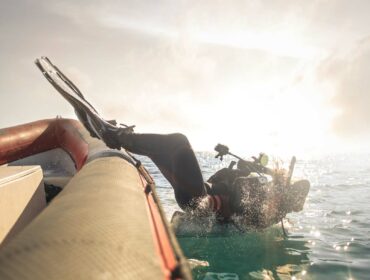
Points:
[(228, 192)]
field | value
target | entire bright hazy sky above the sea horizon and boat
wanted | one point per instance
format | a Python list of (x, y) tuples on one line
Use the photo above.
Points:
[(279, 76)]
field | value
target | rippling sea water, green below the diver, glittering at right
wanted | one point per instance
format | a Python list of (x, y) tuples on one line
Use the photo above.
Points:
[(329, 239)]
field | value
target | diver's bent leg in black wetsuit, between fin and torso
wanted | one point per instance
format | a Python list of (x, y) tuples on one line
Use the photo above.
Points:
[(173, 155)]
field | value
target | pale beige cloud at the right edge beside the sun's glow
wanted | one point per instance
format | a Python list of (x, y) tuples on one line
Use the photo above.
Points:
[(348, 74)]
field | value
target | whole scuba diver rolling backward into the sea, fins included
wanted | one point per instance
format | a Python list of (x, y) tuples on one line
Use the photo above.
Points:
[(229, 192)]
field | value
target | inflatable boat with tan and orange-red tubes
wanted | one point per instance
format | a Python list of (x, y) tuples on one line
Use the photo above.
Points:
[(70, 208)]
